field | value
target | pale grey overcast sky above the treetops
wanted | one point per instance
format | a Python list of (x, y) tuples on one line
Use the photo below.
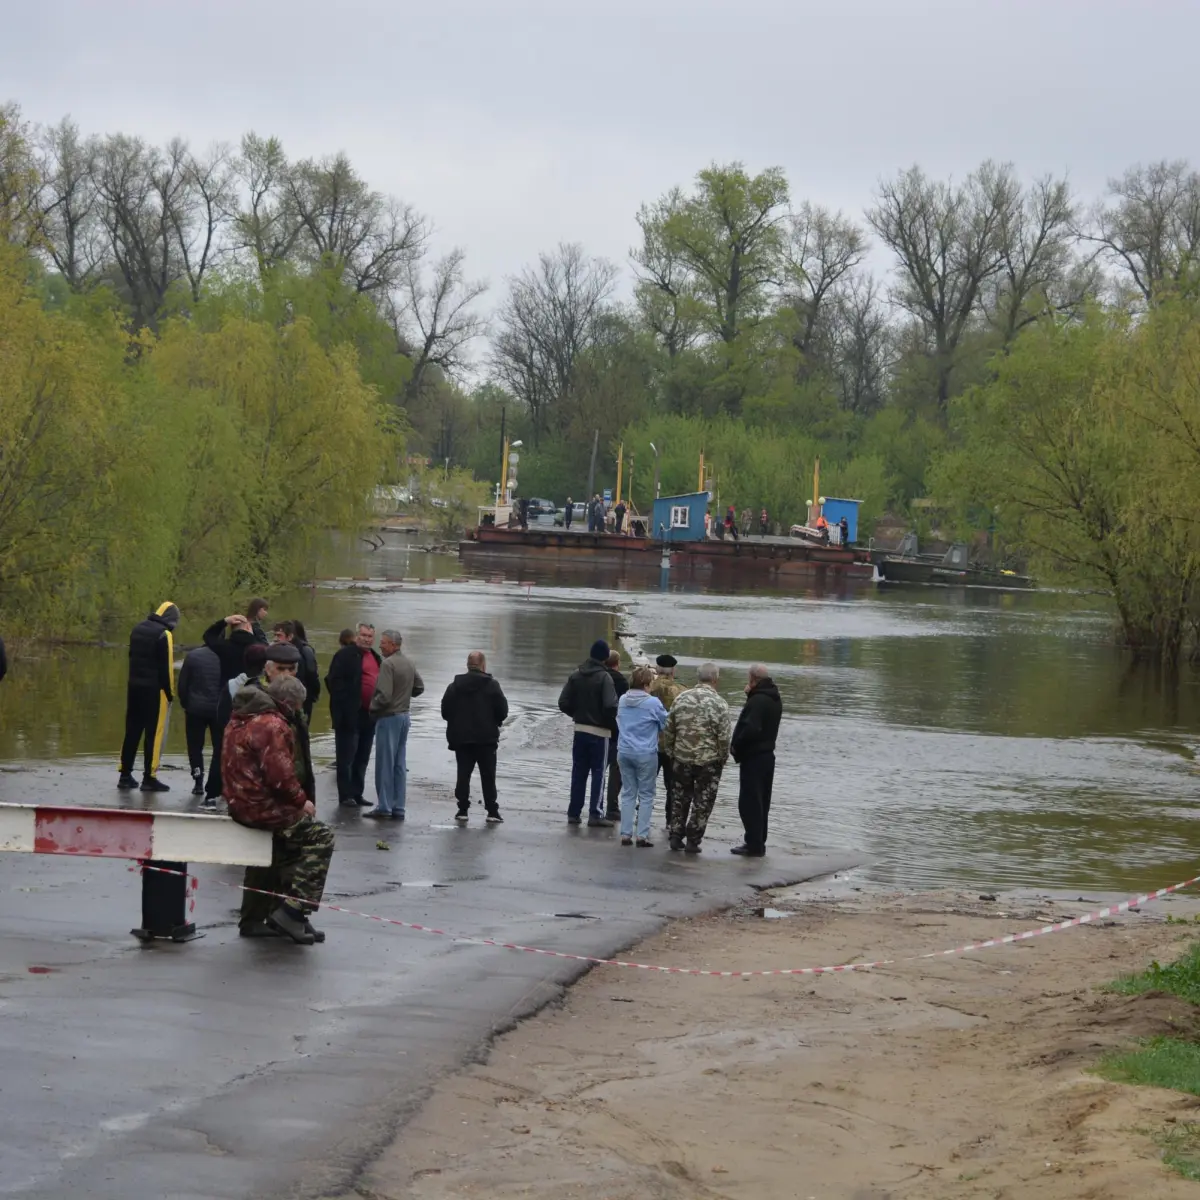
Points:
[(521, 123)]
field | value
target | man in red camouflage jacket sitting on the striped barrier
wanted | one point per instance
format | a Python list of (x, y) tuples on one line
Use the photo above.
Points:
[(265, 793)]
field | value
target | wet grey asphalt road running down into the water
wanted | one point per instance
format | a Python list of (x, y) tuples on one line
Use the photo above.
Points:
[(233, 1069)]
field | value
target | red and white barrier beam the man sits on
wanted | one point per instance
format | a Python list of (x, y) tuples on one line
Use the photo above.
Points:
[(129, 833)]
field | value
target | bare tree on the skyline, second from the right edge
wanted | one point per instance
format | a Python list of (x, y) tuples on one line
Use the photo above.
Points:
[(1039, 271)]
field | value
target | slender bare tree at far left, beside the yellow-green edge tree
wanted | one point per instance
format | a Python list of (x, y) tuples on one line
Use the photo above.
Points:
[(71, 229)]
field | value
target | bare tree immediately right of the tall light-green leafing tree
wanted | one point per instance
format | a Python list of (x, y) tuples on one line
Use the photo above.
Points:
[(821, 251)]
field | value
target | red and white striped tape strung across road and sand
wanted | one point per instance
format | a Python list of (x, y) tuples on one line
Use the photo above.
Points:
[(1007, 940)]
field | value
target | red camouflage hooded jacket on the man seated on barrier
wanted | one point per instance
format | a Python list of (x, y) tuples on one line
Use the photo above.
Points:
[(259, 771)]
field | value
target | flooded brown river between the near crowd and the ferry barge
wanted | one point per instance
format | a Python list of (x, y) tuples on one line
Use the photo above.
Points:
[(963, 740)]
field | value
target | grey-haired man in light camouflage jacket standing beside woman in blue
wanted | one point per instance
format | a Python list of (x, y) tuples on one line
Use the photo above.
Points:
[(698, 740)]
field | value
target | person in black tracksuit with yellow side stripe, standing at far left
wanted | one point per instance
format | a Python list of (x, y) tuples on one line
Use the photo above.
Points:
[(149, 695)]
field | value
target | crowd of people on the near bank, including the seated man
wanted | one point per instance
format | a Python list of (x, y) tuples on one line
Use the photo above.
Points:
[(251, 698)]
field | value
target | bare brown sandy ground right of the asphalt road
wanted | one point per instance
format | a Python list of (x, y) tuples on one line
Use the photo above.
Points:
[(959, 1078)]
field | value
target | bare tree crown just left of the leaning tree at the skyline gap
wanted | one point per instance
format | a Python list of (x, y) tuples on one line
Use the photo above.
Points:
[(365, 237)]
